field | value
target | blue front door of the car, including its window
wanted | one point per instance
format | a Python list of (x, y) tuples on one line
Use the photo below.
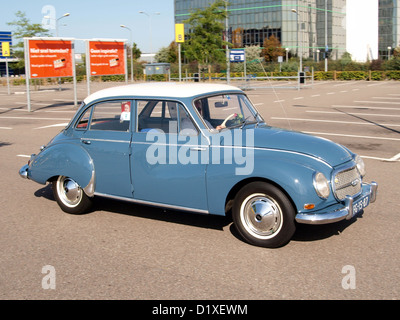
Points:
[(167, 151)]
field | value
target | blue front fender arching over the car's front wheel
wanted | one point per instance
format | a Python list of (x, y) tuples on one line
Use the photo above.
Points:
[(290, 171)]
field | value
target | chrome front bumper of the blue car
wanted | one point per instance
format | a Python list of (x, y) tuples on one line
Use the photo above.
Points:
[(329, 215)]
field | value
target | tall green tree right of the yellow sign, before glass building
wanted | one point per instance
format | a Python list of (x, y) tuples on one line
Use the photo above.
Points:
[(205, 43)]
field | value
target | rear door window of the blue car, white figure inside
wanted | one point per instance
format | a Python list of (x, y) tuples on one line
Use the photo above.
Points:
[(111, 116)]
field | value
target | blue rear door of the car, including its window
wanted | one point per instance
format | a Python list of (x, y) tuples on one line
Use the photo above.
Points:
[(106, 136)]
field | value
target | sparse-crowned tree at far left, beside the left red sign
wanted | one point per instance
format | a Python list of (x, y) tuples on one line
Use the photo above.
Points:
[(24, 29)]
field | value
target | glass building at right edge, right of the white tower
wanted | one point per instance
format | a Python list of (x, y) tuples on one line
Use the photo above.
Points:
[(389, 27)]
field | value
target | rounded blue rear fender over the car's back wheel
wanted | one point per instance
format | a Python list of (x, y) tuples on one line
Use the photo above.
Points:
[(64, 159)]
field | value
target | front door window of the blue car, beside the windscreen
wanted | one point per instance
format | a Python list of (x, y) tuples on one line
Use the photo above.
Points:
[(164, 116)]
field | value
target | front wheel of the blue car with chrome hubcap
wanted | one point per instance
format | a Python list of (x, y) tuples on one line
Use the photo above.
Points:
[(263, 215)]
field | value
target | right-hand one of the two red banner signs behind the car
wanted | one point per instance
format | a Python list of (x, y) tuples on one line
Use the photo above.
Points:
[(106, 58)]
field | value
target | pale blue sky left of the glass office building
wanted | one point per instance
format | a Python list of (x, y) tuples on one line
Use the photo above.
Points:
[(90, 19)]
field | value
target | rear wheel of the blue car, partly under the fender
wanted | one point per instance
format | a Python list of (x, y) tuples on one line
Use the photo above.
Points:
[(70, 196)]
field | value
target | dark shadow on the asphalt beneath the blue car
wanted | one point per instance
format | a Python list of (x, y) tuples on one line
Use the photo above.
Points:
[(304, 232)]
